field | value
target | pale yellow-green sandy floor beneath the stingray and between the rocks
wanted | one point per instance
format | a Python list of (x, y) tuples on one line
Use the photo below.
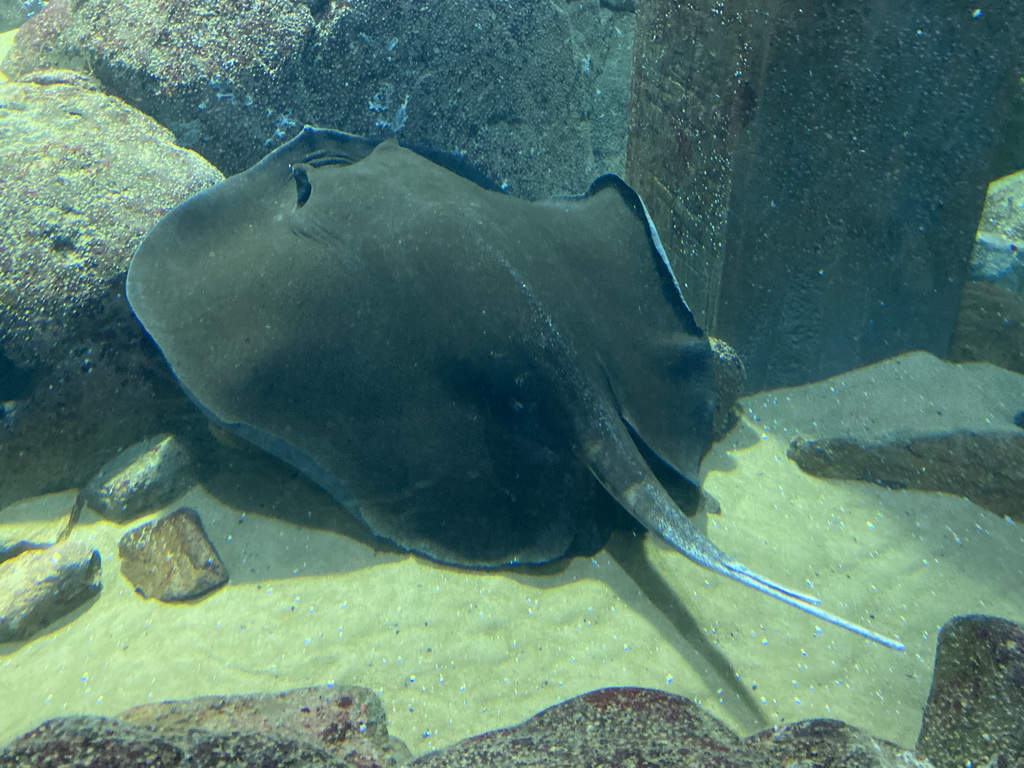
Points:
[(455, 653)]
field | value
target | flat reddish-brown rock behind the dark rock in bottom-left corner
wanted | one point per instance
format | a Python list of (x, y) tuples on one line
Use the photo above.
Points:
[(350, 723)]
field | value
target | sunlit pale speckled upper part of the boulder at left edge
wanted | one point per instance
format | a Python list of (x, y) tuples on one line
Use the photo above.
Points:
[(86, 177)]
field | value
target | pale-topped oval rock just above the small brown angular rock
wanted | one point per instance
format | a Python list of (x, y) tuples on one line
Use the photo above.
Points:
[(143, 479)]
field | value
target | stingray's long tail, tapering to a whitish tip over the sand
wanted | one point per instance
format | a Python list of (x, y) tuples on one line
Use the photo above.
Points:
[(619, 466)]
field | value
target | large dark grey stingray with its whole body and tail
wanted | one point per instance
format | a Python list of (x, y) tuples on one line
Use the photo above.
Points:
[(467, 372)]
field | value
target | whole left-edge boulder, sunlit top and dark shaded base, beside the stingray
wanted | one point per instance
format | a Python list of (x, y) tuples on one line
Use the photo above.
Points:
[(86, 178)]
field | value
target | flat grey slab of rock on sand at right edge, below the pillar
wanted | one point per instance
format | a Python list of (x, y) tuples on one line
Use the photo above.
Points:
[(961, 440)]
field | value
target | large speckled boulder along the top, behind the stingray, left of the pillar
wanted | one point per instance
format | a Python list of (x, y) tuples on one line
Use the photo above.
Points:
[(501, 83)]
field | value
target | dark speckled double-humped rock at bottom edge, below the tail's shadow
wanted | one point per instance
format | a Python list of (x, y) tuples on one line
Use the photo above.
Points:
[(637, 727)]
